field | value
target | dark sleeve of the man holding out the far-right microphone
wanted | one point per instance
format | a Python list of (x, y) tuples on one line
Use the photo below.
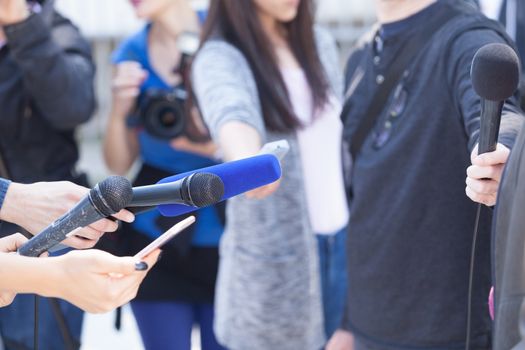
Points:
[(467, 101)]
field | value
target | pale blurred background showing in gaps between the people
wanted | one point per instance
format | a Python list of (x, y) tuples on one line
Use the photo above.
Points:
[(105, 24)]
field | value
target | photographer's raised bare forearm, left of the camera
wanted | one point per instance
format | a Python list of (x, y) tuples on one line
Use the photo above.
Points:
[(121, 146)]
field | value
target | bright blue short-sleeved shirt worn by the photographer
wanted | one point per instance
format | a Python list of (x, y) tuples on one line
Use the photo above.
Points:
[(159, 153)]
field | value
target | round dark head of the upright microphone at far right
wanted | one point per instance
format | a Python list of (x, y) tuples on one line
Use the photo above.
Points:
[(495, 72)]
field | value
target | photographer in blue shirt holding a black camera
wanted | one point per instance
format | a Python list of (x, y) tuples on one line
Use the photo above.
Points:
[(150, 120)]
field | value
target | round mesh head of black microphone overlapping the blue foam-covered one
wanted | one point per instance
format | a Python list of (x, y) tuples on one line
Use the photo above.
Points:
[(205, 189)]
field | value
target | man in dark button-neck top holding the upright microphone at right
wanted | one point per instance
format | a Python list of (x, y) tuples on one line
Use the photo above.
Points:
[(410, 232)]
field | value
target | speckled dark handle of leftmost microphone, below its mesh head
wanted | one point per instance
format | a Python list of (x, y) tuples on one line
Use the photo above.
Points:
[(83, 214)]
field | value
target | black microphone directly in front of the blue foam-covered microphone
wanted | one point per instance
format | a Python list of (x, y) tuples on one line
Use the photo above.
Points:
[(196, 190)]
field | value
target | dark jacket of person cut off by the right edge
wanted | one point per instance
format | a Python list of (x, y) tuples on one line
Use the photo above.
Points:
[(509, 258)]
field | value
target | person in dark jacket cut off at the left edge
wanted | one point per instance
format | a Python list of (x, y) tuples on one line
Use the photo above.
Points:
[(46, 91)]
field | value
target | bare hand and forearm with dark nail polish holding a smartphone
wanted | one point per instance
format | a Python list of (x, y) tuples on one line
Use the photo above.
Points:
[(93, 280)]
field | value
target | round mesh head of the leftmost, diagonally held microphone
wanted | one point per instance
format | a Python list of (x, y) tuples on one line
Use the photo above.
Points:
[(111, 195)]
